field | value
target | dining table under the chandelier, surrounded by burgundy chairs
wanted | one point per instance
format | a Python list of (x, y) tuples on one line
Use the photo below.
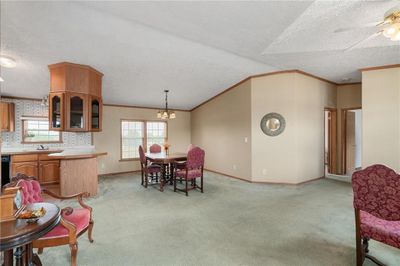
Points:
[(166, 160)]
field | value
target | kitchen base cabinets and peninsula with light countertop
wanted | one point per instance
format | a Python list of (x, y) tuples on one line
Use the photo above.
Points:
[(72, 170)]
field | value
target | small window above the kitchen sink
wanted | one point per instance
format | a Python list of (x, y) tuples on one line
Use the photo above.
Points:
[(36, 130)]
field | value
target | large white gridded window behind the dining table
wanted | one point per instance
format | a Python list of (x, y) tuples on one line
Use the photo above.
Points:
[(136, 133)]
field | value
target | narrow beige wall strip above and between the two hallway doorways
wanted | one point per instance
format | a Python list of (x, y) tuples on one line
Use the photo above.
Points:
[(348, 96)]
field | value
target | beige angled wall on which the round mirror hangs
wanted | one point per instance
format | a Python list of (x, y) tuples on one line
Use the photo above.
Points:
[(297, 154)]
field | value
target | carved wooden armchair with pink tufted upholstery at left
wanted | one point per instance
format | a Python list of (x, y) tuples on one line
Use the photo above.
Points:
[(74, 221)]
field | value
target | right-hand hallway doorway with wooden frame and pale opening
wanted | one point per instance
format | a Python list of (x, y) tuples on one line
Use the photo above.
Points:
[(351, 140)]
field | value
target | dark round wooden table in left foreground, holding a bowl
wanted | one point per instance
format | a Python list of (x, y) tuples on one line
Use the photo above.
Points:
[(19, 234)]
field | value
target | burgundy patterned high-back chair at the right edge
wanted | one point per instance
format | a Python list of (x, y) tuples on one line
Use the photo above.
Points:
[(377, 209)]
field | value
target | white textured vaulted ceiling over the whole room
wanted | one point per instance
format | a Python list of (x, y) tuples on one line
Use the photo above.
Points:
[(194, 49)]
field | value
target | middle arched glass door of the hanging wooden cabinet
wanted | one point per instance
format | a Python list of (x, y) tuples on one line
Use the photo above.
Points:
[(76, 112)]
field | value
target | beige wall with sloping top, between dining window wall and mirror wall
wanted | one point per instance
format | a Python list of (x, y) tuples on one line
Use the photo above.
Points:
[(220, 128)]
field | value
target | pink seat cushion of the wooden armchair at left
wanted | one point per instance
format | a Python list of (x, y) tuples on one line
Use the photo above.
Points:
[(79, 217)]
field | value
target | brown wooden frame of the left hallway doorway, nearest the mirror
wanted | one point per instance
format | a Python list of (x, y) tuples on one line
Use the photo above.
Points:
[(332, 138)]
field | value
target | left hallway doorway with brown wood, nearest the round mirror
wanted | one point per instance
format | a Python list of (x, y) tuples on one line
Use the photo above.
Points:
[(330, 147)]
